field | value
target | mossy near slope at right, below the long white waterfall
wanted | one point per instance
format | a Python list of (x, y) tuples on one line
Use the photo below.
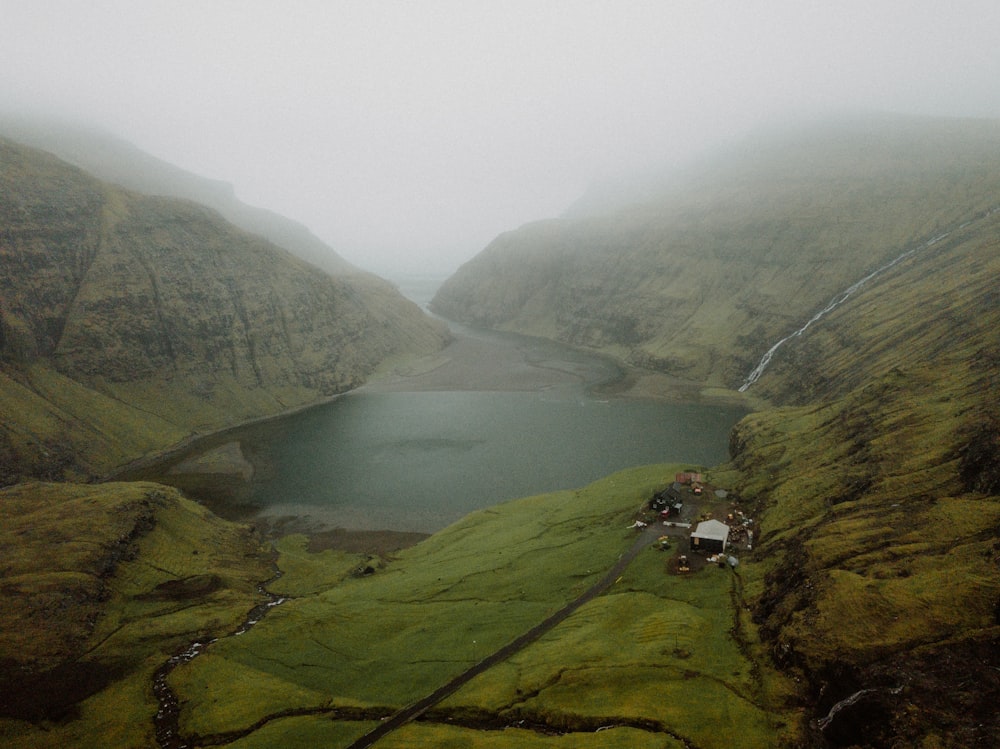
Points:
[(878, 572)]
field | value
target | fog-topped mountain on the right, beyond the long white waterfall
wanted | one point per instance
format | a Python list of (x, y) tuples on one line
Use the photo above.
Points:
[(741, 250)]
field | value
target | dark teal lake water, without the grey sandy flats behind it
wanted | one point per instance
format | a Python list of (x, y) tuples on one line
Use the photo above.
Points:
[(420, 461)]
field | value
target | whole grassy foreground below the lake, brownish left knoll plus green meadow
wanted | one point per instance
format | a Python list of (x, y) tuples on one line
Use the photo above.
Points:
[(137, 573)]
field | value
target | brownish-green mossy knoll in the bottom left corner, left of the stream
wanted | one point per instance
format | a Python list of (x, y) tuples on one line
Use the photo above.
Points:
[(101, 584)]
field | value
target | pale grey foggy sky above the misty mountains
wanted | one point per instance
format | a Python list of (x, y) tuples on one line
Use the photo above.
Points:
[(408, 134)]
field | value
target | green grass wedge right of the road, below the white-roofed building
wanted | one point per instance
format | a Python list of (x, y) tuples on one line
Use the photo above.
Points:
[(659, 650)]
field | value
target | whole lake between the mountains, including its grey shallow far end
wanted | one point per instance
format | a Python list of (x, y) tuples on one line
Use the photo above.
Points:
[(391, 459)]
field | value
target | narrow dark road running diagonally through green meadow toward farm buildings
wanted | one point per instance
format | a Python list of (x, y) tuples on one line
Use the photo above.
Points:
[(646, 537)]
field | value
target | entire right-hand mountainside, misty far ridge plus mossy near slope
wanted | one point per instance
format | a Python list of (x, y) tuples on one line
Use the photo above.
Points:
[(874, 478)]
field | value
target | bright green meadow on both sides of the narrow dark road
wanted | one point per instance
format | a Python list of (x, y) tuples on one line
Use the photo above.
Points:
[(372, 644)]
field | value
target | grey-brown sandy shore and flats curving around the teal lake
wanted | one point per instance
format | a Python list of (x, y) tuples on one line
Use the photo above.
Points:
[(475, 360)]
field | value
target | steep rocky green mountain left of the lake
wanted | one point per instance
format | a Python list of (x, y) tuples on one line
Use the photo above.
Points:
[(129, 322)]
